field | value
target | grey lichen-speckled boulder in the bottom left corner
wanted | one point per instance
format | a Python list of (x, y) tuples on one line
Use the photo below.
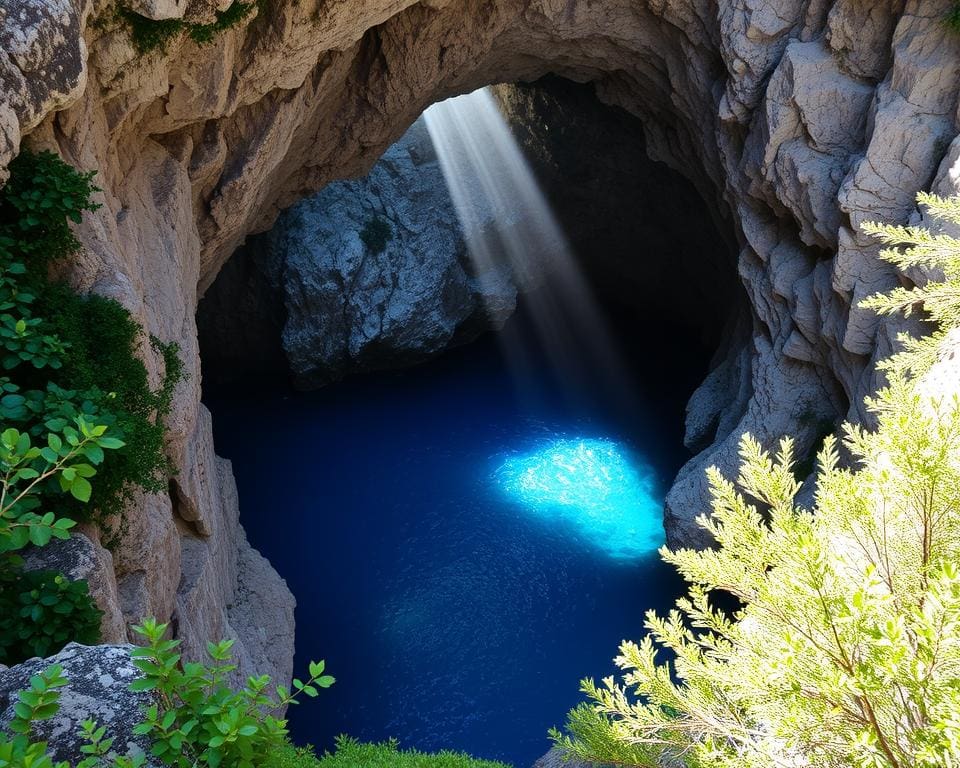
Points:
[(99, 679)]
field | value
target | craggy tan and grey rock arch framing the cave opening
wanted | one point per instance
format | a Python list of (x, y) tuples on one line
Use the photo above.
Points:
[(797, 119)]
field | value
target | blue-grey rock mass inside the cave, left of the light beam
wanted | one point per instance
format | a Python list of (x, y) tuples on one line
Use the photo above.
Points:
[(352, 306)]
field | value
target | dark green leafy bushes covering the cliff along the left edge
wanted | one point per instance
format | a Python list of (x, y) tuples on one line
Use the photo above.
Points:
[(77, 403)]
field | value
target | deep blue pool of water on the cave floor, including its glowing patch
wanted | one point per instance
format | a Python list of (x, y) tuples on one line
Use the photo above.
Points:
[(456, 601)]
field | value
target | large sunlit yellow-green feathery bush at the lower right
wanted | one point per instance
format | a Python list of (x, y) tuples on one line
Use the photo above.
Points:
[(845, 650)]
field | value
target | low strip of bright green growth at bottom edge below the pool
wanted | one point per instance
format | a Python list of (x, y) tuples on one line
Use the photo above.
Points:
[(353, 754)]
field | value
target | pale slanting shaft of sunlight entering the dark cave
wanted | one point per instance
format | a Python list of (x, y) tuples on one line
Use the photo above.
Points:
[(511, 233)]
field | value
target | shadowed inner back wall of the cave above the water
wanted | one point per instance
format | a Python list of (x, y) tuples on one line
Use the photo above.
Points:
[(312, 297)]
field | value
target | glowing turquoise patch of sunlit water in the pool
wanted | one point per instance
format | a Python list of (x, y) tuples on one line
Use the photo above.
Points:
[(593, 486)]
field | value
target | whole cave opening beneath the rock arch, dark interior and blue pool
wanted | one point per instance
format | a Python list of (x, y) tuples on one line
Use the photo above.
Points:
[(469, 536)]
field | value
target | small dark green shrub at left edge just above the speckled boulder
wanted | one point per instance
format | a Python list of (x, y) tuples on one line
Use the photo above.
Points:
[(42, 611)]
